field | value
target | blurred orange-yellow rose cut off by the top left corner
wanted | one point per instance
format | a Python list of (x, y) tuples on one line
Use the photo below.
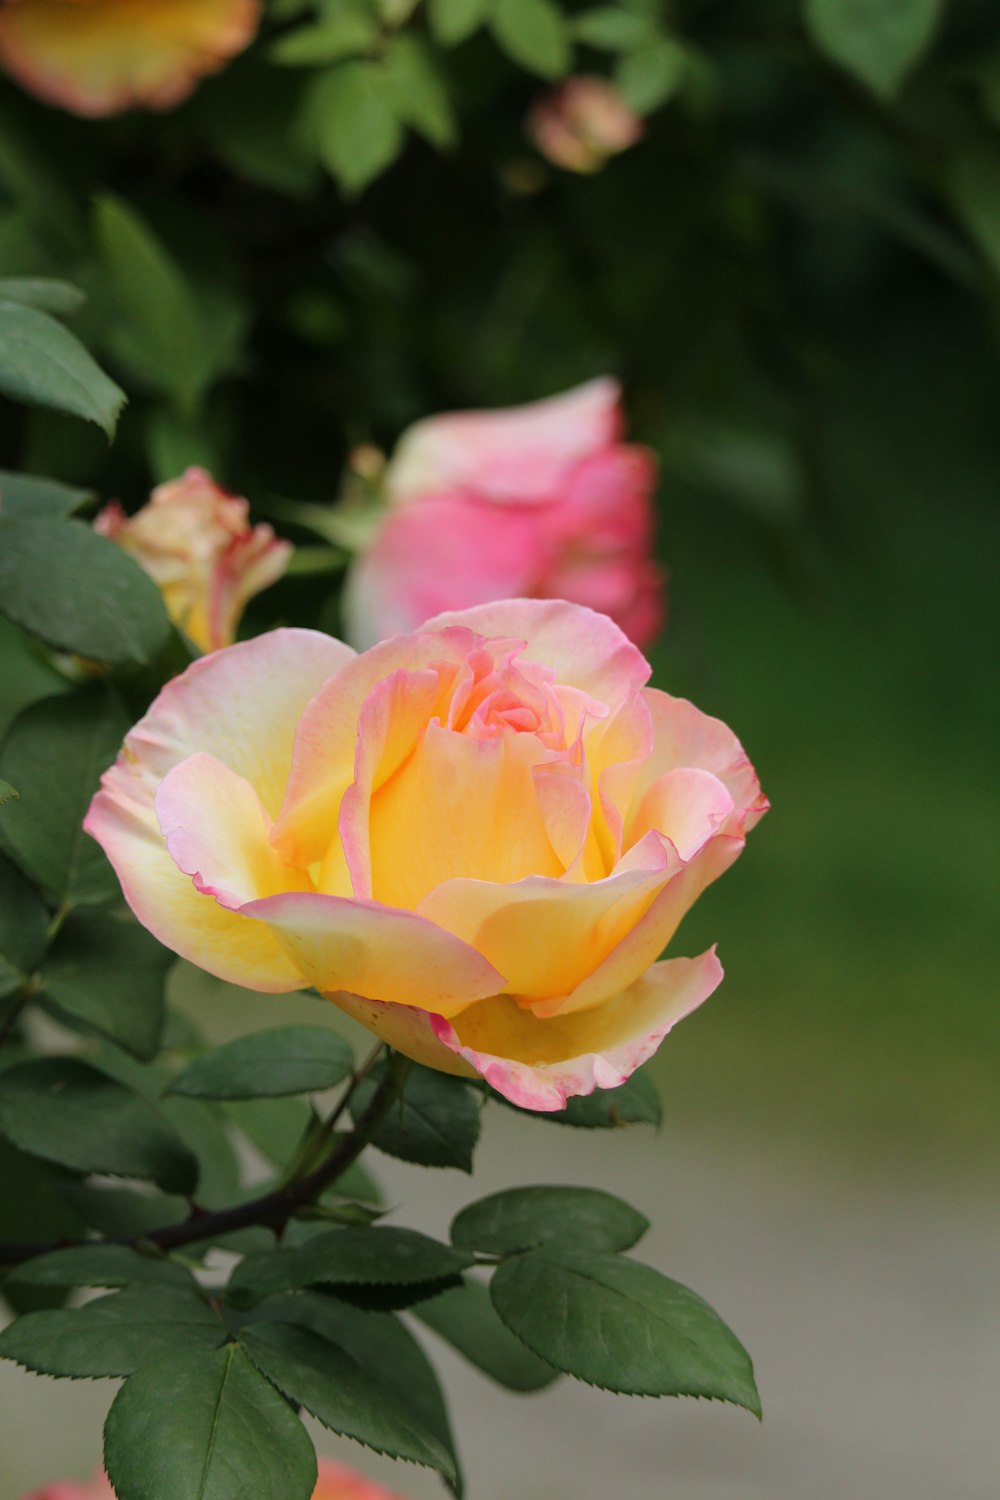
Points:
[(100, 58)]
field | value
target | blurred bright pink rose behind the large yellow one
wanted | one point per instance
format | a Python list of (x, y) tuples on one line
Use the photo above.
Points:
[(540, 500)]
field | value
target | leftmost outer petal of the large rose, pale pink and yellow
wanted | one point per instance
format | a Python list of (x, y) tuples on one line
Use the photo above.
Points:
[(241, 707)]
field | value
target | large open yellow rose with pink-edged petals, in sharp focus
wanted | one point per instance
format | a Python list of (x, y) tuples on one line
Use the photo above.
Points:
[(476, 839)]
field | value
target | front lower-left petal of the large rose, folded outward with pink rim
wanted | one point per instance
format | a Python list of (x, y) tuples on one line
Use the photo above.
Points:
[(377, 952)]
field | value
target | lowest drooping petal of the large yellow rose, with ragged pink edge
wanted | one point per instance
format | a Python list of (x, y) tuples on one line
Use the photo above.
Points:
[(540, 1066)]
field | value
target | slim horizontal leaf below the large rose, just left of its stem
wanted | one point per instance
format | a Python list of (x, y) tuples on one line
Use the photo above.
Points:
[(287, 1060)]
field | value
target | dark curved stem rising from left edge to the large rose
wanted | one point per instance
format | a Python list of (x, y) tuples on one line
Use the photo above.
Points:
[(272, 1210)]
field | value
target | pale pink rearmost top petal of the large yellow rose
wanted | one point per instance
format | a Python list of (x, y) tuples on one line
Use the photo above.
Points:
[(587, 650)]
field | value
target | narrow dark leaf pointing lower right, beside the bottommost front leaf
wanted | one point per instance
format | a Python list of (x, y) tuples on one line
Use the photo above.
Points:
[(338, 1393)]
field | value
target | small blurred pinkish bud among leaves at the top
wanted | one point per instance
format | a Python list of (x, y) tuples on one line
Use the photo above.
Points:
[(582, 124)]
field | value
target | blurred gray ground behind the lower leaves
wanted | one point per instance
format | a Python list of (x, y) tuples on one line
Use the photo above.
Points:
[(869, 1303)]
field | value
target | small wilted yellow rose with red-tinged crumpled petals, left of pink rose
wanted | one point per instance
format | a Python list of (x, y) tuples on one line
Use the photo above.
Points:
[(200, 550)]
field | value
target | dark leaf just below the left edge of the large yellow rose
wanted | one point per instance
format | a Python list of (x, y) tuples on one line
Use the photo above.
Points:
[(112, 976)]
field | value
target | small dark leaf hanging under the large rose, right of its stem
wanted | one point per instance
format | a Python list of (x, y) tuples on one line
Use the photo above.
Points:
[(436, 1123)]
